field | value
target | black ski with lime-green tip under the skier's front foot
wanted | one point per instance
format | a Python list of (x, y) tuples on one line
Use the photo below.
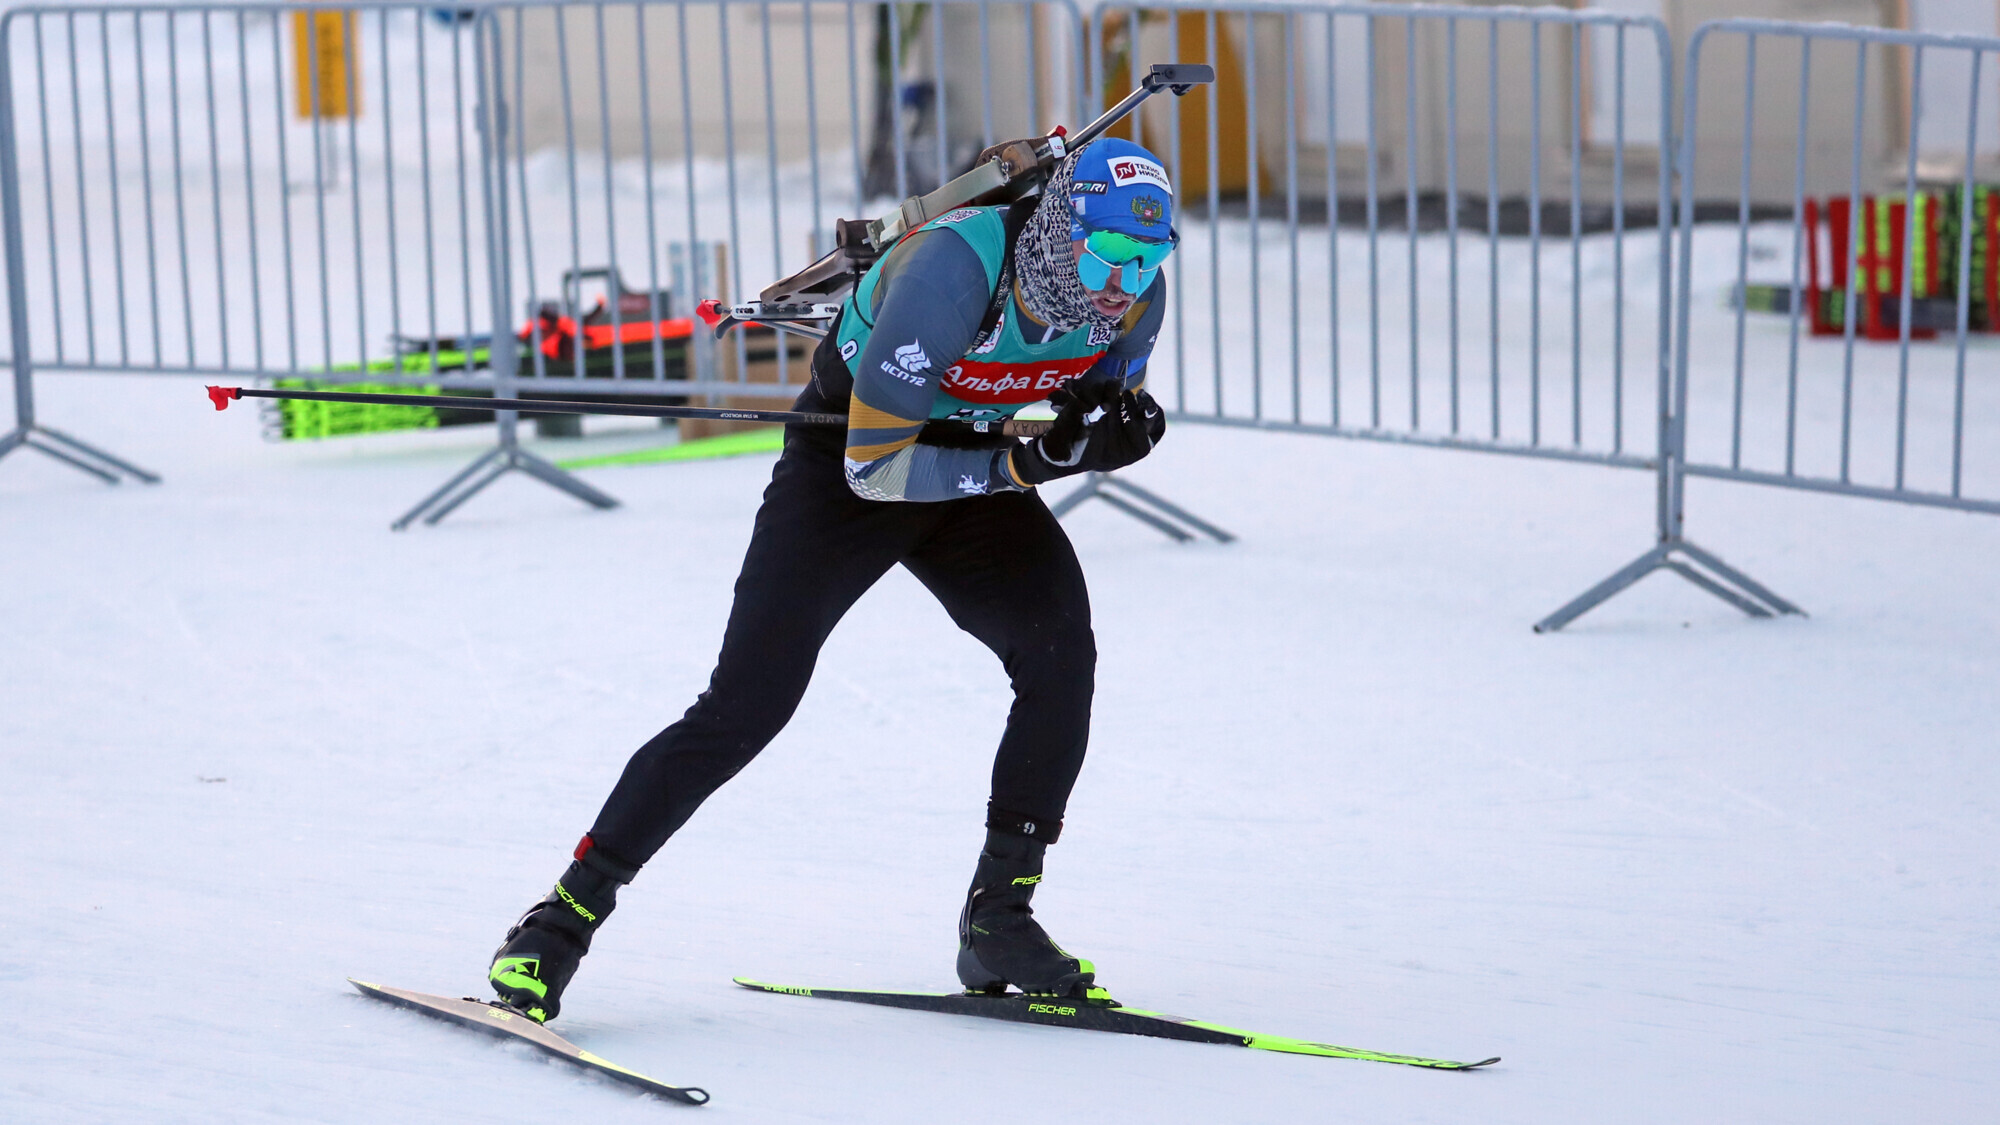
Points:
[(1105, 1016)]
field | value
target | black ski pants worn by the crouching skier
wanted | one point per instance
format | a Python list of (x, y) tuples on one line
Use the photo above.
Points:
[(1001, 566)]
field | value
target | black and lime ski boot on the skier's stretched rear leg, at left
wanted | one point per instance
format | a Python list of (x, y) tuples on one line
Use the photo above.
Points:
[(541, 954)]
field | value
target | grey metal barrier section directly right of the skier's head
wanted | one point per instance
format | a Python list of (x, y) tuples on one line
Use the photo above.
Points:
[(1429, 227)]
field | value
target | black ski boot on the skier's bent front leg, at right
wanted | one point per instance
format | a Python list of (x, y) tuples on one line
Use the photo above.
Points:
[(999, 940)]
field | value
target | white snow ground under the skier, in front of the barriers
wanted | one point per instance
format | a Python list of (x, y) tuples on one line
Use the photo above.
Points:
[(1673, 866)]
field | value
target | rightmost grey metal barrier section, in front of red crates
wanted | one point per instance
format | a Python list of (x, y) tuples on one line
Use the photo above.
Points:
[(1905, 413)]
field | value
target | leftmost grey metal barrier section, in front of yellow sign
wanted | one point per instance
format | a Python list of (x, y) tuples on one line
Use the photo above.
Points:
[(195, 191)]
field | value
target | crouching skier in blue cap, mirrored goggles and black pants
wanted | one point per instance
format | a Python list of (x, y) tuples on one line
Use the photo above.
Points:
[(969, 319)]
